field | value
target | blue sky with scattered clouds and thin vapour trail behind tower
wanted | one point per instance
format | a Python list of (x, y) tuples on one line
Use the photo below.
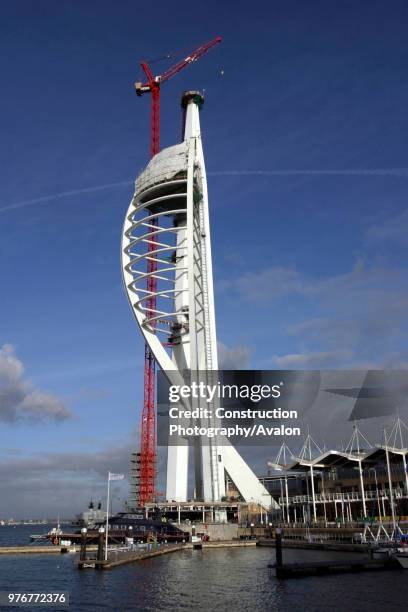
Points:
[(310, 260)]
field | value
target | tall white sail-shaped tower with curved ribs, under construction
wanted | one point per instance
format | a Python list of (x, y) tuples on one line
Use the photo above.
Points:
[(168, 219)]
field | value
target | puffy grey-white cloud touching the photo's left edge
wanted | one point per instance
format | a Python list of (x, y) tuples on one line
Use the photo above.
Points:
[(19, 399)]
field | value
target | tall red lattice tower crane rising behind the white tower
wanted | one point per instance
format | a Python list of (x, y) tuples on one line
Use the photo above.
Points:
[(147, 454)]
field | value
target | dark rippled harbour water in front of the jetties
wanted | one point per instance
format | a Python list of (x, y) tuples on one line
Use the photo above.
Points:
[(218, 579)]
